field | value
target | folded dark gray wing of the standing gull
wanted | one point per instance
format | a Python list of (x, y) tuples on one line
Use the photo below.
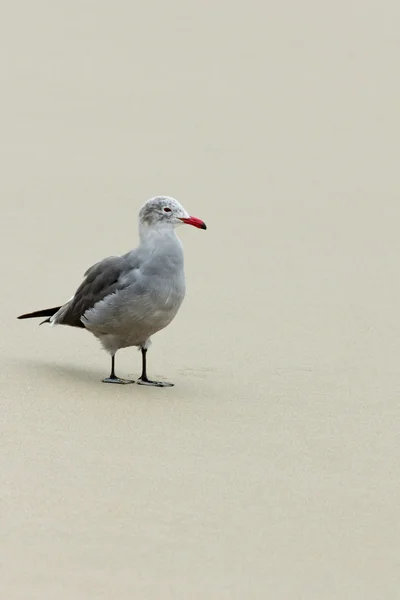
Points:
[(101, 280)]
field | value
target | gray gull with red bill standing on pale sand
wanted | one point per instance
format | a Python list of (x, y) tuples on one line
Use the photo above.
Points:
[(124, 300)]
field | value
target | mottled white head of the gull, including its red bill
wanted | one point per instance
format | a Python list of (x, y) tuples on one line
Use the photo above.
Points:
[(166, 212)]
